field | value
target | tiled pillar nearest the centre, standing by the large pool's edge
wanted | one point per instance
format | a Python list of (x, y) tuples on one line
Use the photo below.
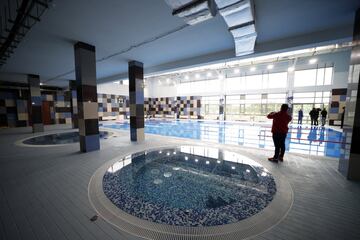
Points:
[(136, 95)]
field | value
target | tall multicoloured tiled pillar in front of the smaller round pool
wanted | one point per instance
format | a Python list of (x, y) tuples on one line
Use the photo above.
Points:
[(88, 120)]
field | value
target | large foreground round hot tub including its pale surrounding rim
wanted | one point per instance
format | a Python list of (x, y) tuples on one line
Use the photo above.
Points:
[(189, 191)]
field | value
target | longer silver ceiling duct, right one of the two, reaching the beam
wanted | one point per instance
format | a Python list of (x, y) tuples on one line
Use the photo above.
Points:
[(239, 16)]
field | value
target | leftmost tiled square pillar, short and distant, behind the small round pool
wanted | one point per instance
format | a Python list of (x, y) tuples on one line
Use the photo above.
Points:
[(35, 103)]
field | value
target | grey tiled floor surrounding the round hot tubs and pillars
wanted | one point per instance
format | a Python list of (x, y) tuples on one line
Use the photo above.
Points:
[(44, 195)]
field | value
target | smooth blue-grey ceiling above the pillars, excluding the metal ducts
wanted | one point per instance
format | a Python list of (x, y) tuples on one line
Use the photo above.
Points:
[(146, 31)]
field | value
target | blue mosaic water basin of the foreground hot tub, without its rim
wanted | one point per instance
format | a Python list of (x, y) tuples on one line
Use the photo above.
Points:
[(189, 186)]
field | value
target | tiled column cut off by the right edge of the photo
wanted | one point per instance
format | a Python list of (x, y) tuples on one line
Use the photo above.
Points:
[(349, 164)]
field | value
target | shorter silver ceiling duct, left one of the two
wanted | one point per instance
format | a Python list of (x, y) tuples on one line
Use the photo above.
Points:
[(193, 11)]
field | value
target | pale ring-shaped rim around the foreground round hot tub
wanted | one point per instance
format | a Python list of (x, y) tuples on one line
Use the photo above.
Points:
[(270, 216)]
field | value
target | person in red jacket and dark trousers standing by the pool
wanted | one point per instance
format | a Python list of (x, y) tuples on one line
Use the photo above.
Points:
[(279, 130)]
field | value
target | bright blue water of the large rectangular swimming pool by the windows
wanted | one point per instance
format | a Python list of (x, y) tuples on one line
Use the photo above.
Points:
[(320, 141)]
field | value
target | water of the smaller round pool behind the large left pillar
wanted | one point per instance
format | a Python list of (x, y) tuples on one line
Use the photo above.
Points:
[(60, 138)]
